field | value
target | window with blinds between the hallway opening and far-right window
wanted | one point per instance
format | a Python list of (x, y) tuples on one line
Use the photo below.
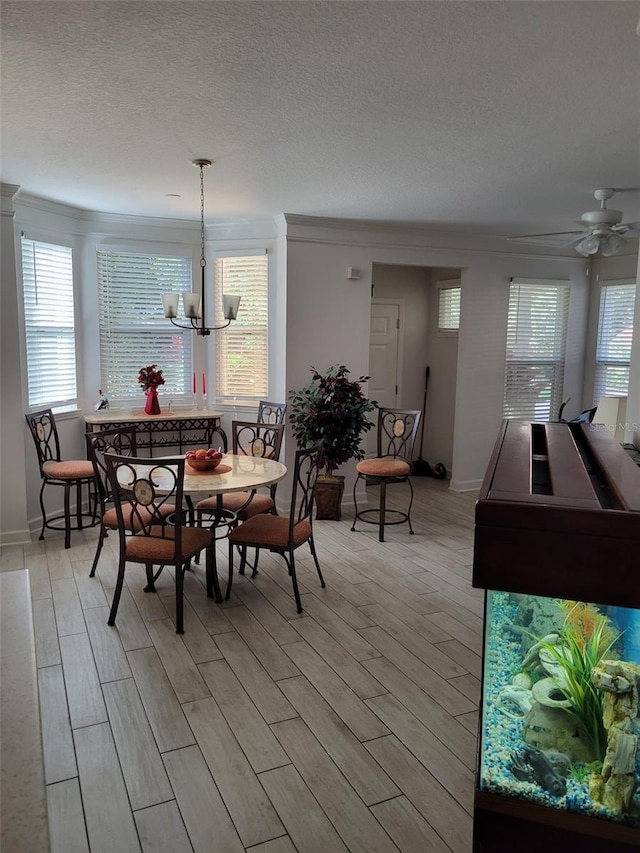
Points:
[(536, 343)]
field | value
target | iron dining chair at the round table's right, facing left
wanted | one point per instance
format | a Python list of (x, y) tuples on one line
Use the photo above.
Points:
[(283, 534)]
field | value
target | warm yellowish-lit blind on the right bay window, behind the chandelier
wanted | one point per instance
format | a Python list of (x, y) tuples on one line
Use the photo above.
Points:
[(242, 348)]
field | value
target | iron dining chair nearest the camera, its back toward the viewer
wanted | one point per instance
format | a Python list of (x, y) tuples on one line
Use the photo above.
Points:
[(143, 490)]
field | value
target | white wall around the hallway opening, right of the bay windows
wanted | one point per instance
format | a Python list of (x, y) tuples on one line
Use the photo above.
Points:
[(328, 317)]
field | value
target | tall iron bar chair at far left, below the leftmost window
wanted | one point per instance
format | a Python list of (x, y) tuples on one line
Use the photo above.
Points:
[(66, 473)]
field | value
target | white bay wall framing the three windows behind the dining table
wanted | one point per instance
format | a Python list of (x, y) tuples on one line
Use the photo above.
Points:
[(85, 231)]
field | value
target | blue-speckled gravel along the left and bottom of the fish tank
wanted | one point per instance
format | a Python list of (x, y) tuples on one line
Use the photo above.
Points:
[(502, 723)]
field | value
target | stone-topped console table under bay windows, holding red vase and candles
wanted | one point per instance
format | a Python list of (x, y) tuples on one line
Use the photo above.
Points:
[(181, 429)]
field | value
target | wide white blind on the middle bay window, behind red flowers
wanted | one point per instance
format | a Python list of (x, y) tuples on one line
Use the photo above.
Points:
[(133, 330)]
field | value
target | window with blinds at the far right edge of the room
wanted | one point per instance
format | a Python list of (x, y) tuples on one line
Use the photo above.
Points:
[(615, 336)]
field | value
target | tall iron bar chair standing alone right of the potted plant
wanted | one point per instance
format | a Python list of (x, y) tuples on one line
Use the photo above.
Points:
[(396, 435)]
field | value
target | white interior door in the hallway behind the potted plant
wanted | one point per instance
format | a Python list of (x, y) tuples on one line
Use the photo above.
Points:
[(383, 358)]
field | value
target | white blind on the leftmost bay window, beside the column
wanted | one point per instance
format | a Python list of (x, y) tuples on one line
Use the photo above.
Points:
[(49, 324)]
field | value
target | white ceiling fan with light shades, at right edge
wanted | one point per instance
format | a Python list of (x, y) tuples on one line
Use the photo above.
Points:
[(602, 231)]
